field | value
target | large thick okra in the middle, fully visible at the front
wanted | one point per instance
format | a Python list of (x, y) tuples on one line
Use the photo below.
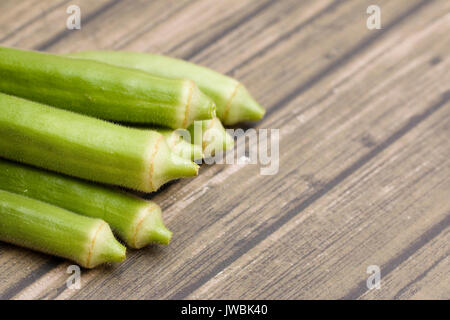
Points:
[(86, 147)]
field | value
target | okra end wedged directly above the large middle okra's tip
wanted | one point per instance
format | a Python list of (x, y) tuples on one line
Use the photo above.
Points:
[(179, 146)]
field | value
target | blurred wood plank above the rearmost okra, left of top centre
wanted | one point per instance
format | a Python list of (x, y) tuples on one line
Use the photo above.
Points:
[(171, 34)]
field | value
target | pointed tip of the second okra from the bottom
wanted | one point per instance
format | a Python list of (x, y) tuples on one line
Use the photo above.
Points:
[(150, 228)]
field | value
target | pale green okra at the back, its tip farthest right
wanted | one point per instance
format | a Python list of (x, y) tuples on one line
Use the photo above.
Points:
[(234, 103)]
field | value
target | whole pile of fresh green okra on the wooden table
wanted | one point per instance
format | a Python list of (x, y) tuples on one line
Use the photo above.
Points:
[(74, 128)]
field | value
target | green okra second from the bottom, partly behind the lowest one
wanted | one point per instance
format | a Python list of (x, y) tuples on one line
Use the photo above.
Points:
[(136, 221)]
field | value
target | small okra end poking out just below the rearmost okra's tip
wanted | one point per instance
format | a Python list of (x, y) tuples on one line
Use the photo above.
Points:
[(211, 136)]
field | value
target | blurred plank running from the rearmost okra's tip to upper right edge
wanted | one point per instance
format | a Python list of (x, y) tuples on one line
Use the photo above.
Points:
[(295, 63)]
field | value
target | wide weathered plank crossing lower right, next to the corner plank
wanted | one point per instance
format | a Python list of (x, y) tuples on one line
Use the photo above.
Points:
[(383, 213)]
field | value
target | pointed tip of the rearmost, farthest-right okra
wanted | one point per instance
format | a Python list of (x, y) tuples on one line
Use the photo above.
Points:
[(242, 107)]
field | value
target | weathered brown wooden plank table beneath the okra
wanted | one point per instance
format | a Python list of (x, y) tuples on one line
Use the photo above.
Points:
[(364, 176)]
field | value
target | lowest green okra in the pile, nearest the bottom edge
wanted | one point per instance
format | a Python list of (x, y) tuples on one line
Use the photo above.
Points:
[(43, 227)]
